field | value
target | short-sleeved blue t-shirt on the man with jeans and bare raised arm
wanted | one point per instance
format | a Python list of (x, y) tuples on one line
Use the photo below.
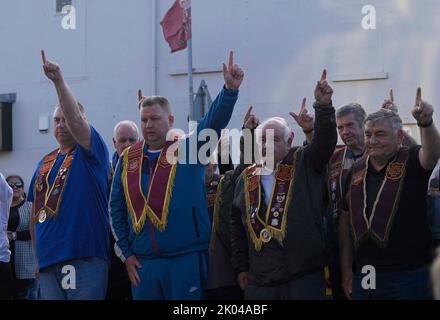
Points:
[(81, 227)]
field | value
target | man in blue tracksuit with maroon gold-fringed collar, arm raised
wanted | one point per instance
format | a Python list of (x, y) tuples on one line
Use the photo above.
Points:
[(158, 209)]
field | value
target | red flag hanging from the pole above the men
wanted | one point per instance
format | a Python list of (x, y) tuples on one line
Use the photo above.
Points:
[(176, 25)]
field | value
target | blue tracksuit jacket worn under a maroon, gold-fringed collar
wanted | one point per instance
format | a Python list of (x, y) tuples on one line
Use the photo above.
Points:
[(188, 228)]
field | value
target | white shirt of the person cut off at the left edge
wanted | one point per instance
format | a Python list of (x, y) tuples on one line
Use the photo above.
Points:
[(5, 205)]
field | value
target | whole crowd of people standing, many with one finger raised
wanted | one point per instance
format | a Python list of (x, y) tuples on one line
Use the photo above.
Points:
[(306, 225)]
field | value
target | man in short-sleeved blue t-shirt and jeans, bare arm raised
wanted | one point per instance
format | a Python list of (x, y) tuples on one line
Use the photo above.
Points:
[(69, 195)]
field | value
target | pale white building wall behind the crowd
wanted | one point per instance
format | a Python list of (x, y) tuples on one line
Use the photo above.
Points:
[(282, 45)]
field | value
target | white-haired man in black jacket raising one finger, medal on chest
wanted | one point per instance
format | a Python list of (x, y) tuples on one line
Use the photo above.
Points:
[(277, 234)]
